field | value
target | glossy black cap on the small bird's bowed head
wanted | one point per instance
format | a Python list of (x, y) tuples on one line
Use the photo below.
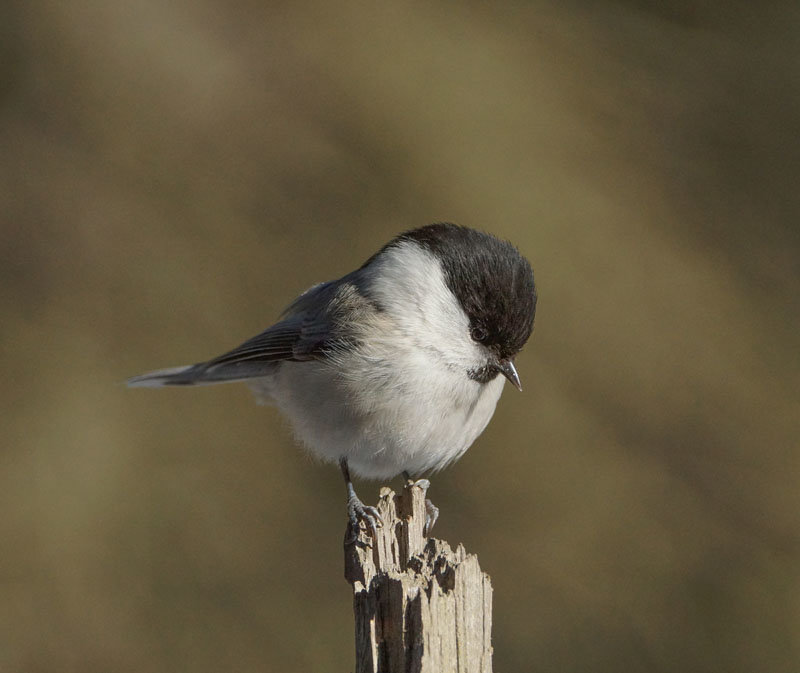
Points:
[(491, 279)]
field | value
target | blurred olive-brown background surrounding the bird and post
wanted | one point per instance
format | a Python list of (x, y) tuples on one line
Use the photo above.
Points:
[(172, 174)]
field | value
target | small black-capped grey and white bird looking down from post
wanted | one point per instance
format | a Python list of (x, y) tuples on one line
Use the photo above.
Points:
[(393, 368)]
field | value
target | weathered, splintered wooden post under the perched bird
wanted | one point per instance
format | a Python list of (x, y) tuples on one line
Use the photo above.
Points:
[(420, 607)]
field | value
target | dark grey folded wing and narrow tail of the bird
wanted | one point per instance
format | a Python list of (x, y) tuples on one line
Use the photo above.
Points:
[(305, 333)]
